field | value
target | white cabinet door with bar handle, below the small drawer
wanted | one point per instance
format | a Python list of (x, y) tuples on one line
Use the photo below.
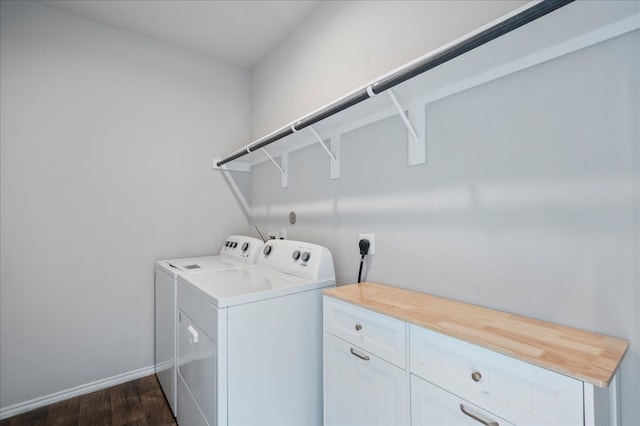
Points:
[(362, 389)]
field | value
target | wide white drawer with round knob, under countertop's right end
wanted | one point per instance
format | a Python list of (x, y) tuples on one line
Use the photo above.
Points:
[(517, 391)]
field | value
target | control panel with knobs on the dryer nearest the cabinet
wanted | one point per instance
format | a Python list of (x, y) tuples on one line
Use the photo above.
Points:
[(298, 258)]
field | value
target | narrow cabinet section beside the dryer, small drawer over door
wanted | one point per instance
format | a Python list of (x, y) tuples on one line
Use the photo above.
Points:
[(365, 381)]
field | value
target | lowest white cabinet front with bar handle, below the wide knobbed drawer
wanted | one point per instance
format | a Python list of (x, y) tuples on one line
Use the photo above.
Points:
[(433, 406)]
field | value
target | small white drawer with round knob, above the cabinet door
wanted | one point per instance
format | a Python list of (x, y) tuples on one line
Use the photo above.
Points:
[(378, 334)]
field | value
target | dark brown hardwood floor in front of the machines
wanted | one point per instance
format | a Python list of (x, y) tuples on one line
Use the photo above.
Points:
[(140, 402)]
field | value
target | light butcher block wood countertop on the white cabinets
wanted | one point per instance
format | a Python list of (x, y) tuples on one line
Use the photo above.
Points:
[(583, 355)]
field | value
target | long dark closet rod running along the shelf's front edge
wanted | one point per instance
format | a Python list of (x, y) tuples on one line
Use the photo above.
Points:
[(406, 73)]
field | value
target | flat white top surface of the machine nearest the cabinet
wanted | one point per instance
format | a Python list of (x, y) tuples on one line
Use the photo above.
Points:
[(244, 285)]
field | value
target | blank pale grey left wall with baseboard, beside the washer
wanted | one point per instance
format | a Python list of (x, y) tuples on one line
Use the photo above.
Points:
[(107, 141)]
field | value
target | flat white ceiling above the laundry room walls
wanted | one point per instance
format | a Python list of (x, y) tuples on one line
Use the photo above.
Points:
[(238, 32)]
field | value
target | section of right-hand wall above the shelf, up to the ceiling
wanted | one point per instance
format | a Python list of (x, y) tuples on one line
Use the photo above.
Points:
[(343, 45)]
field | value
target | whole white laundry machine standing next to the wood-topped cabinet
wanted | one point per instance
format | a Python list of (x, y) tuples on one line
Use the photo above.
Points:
[(250, 339)]
